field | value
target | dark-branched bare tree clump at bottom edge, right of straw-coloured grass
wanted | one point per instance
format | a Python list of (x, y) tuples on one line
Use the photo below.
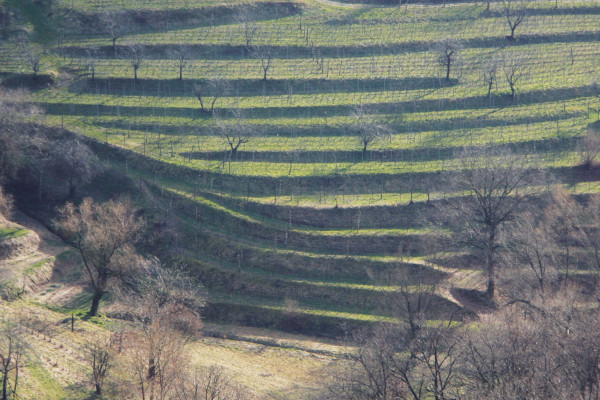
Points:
[(391, 363)]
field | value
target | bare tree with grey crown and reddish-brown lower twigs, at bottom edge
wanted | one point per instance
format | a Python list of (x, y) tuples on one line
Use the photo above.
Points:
[(166, 309)]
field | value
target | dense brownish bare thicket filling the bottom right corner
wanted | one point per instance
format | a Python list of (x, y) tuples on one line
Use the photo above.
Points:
[(544, 350)]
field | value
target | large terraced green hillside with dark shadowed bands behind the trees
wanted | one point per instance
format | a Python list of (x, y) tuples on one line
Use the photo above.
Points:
[(298, 194)]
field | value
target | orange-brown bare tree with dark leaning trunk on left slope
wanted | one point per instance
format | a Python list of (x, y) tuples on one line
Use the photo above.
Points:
[(103, 234)]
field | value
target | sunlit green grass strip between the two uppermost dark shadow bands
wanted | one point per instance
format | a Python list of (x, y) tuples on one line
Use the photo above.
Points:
[(285, 31)]
